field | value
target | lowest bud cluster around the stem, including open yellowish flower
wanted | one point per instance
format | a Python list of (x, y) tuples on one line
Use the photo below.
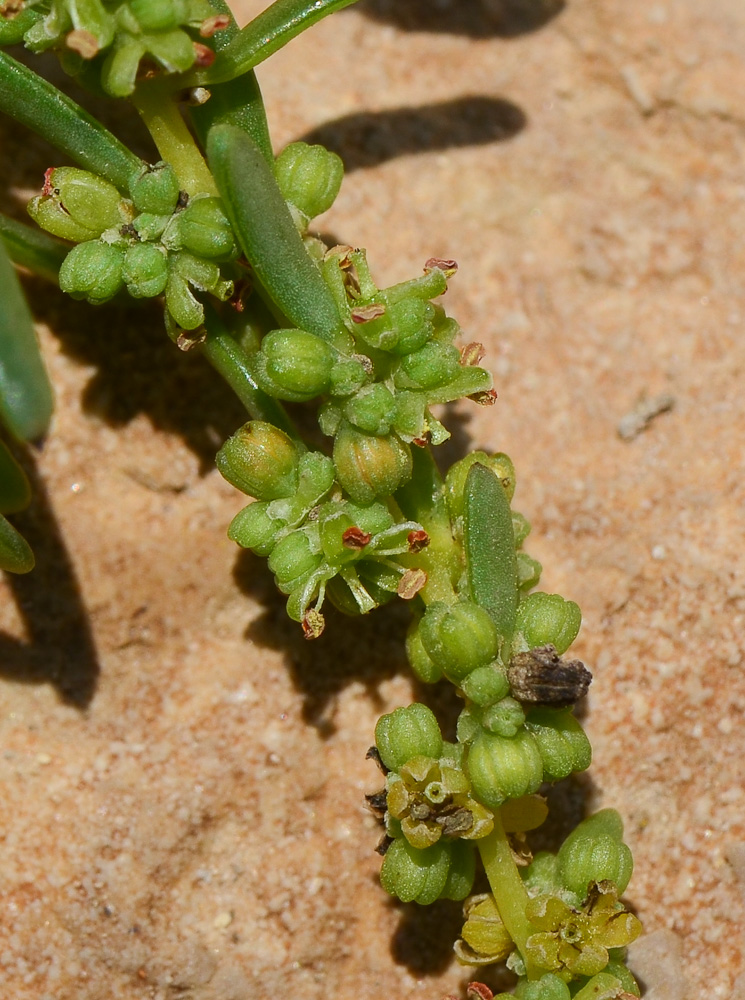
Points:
[(580, 929)]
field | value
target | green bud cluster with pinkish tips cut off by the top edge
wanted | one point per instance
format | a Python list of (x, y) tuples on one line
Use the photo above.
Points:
[(110, 38)]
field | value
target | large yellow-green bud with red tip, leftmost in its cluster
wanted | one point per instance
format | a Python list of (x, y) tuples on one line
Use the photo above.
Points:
[(76, 204)]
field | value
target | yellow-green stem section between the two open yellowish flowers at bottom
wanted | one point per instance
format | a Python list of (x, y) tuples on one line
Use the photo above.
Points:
[(508, 890)]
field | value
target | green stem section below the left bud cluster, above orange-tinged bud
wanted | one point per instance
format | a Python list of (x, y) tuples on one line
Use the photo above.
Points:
[(231, 361)]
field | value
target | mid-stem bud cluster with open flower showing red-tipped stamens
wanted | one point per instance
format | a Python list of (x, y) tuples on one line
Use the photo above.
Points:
[(318, 543)]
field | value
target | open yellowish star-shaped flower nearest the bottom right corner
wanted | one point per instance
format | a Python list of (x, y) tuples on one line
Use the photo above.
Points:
[(574, 942)]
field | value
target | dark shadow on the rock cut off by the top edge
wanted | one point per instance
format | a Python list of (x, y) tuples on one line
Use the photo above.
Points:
[(473, 18)]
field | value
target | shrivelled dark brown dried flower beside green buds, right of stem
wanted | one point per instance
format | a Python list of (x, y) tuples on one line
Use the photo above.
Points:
[(541, 677)]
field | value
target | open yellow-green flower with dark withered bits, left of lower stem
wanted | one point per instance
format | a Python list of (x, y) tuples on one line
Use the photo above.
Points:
[(431, 799)]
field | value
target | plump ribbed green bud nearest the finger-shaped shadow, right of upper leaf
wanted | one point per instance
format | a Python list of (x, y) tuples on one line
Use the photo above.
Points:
[(309, 177)]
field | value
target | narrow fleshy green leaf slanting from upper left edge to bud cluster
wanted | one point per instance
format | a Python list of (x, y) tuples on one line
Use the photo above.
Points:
[(34, 102)]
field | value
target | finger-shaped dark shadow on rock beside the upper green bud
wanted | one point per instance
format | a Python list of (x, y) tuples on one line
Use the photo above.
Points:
[(367, 139)]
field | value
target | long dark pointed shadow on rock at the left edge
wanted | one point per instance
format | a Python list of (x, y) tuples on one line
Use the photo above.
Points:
[(60, 649)]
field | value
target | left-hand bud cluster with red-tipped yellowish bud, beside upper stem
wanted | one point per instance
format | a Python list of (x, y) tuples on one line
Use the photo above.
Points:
[(157, 241)]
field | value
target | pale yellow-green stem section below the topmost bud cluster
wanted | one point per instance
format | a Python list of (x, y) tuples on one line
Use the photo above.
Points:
[(160, 113)]
